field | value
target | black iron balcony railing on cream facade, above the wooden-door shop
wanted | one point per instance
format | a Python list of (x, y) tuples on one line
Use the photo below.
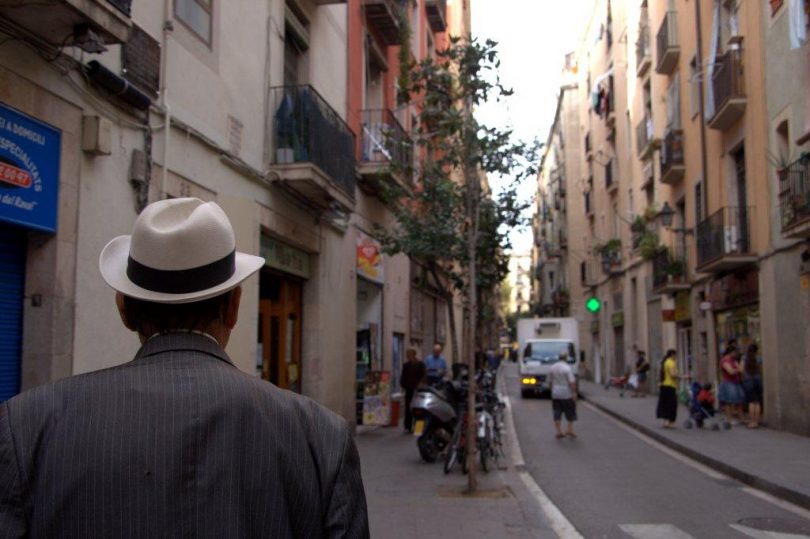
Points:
[(308, 130)]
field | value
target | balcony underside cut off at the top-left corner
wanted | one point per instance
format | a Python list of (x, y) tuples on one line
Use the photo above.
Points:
[(53, 20)]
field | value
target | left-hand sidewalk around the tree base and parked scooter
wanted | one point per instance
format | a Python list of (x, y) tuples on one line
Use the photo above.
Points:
[(408, 497)]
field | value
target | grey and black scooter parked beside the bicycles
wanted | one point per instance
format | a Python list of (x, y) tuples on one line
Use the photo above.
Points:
[(435, 410)]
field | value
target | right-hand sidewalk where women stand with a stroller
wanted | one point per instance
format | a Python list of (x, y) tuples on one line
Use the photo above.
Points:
[(772, 461)]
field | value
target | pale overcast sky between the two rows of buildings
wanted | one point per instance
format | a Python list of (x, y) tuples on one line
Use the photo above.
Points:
[(533, 37)]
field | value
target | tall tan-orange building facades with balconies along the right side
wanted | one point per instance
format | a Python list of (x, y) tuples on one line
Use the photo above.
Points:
[(693, 137)]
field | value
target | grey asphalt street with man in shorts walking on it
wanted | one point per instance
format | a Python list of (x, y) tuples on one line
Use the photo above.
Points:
[(609, 482)]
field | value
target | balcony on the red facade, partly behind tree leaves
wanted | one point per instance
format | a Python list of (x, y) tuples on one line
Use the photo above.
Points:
[(387, 152)]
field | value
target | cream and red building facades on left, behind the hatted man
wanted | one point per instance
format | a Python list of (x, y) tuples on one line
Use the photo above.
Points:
[(266, 111)]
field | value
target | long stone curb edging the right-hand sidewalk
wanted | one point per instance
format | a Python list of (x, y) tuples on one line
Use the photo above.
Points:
[(784, 493)]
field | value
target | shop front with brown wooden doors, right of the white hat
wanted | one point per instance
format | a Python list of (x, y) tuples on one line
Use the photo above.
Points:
[(281, 284)]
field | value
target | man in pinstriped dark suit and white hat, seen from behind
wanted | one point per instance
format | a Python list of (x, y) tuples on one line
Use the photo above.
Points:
[(177, 442)]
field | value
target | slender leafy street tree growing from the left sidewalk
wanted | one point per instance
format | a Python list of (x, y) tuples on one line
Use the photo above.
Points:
[(448, 221)]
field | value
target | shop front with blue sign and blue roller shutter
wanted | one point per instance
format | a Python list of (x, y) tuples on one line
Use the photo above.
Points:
[(29, 194)]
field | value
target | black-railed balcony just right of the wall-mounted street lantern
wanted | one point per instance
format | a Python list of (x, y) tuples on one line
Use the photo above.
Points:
[(724, 240)]
